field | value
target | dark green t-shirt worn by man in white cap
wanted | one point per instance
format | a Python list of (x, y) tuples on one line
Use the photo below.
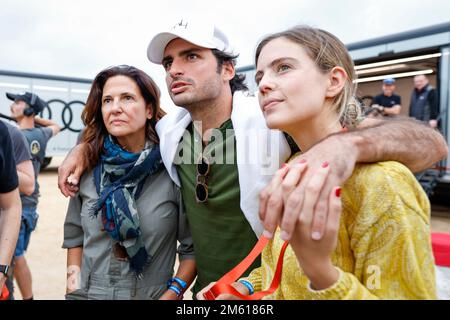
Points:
[(221, 234)]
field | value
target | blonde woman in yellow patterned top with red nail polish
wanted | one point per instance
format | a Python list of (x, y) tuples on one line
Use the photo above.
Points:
[(376, 239)]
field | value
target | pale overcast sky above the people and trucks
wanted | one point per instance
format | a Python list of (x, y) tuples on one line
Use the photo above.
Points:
[(80, 38)]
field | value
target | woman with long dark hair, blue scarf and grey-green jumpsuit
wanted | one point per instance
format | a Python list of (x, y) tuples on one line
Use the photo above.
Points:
[(122, 227)]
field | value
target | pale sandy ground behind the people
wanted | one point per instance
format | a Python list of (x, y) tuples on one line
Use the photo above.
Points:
[(46, 258)]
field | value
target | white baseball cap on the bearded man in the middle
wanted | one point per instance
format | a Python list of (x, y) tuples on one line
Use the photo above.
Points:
[(201, 33)]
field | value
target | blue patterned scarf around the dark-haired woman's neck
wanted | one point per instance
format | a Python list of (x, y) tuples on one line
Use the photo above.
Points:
[(119, 178)]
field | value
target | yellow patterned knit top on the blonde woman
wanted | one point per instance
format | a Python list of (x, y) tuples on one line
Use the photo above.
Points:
[(384, 246)]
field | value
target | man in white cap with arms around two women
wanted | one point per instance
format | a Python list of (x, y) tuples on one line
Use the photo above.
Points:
[(222, 199)]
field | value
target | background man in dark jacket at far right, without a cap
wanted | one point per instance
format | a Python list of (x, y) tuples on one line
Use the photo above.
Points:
[(424, 104)]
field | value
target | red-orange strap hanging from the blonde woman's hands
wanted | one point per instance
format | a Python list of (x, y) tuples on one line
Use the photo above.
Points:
[(224, 283)]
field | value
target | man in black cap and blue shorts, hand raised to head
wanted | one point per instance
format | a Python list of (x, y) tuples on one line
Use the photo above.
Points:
[(24, 109)]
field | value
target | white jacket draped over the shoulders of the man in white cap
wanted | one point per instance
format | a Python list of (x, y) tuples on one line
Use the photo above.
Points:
[(260, 151)]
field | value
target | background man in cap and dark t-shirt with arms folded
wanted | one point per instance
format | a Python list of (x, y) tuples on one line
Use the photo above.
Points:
[(388, 103)]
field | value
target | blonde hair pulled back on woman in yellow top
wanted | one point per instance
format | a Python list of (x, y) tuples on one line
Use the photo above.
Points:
[(328, 52)]
